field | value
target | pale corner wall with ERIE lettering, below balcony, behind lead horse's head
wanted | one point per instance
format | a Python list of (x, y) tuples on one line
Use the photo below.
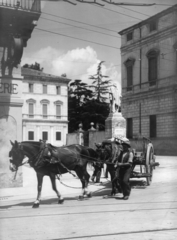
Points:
[(10, 125)]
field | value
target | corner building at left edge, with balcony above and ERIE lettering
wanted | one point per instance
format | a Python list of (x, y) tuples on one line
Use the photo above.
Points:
[(17, 21)]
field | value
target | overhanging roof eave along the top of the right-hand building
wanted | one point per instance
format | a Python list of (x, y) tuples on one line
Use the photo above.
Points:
[(158, 15)]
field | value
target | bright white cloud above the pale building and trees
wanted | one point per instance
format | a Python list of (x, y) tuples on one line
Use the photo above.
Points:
[(78, 63)]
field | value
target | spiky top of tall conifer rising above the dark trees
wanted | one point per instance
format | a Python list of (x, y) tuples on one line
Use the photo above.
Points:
[(100, 85)]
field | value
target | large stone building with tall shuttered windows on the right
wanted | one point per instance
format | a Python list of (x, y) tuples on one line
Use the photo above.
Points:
[(149, 80)]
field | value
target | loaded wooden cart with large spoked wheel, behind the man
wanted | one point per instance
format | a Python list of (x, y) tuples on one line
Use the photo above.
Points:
[(143, 161)]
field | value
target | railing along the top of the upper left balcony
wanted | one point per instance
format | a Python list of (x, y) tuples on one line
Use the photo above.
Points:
[(28, 5)]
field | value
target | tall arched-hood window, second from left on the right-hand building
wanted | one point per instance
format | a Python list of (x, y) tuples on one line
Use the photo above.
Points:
[(152, 66)]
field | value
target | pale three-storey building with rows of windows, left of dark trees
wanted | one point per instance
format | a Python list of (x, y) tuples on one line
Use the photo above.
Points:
[(45, 107)]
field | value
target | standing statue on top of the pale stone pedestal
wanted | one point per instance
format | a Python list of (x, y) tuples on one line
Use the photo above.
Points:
[(114, 97)]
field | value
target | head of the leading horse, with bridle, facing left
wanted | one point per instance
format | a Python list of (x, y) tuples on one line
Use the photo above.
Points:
[(16, 156)]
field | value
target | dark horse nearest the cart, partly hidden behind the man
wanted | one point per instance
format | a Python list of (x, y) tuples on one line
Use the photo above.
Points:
[(110, 154)]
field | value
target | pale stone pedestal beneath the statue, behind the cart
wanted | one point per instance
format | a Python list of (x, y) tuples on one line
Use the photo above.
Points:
[(115, 126)]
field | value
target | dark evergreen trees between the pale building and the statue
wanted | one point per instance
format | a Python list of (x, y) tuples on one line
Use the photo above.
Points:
[(87, 103)]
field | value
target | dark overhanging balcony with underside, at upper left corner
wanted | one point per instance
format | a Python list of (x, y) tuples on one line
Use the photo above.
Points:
[(18, 19)]
